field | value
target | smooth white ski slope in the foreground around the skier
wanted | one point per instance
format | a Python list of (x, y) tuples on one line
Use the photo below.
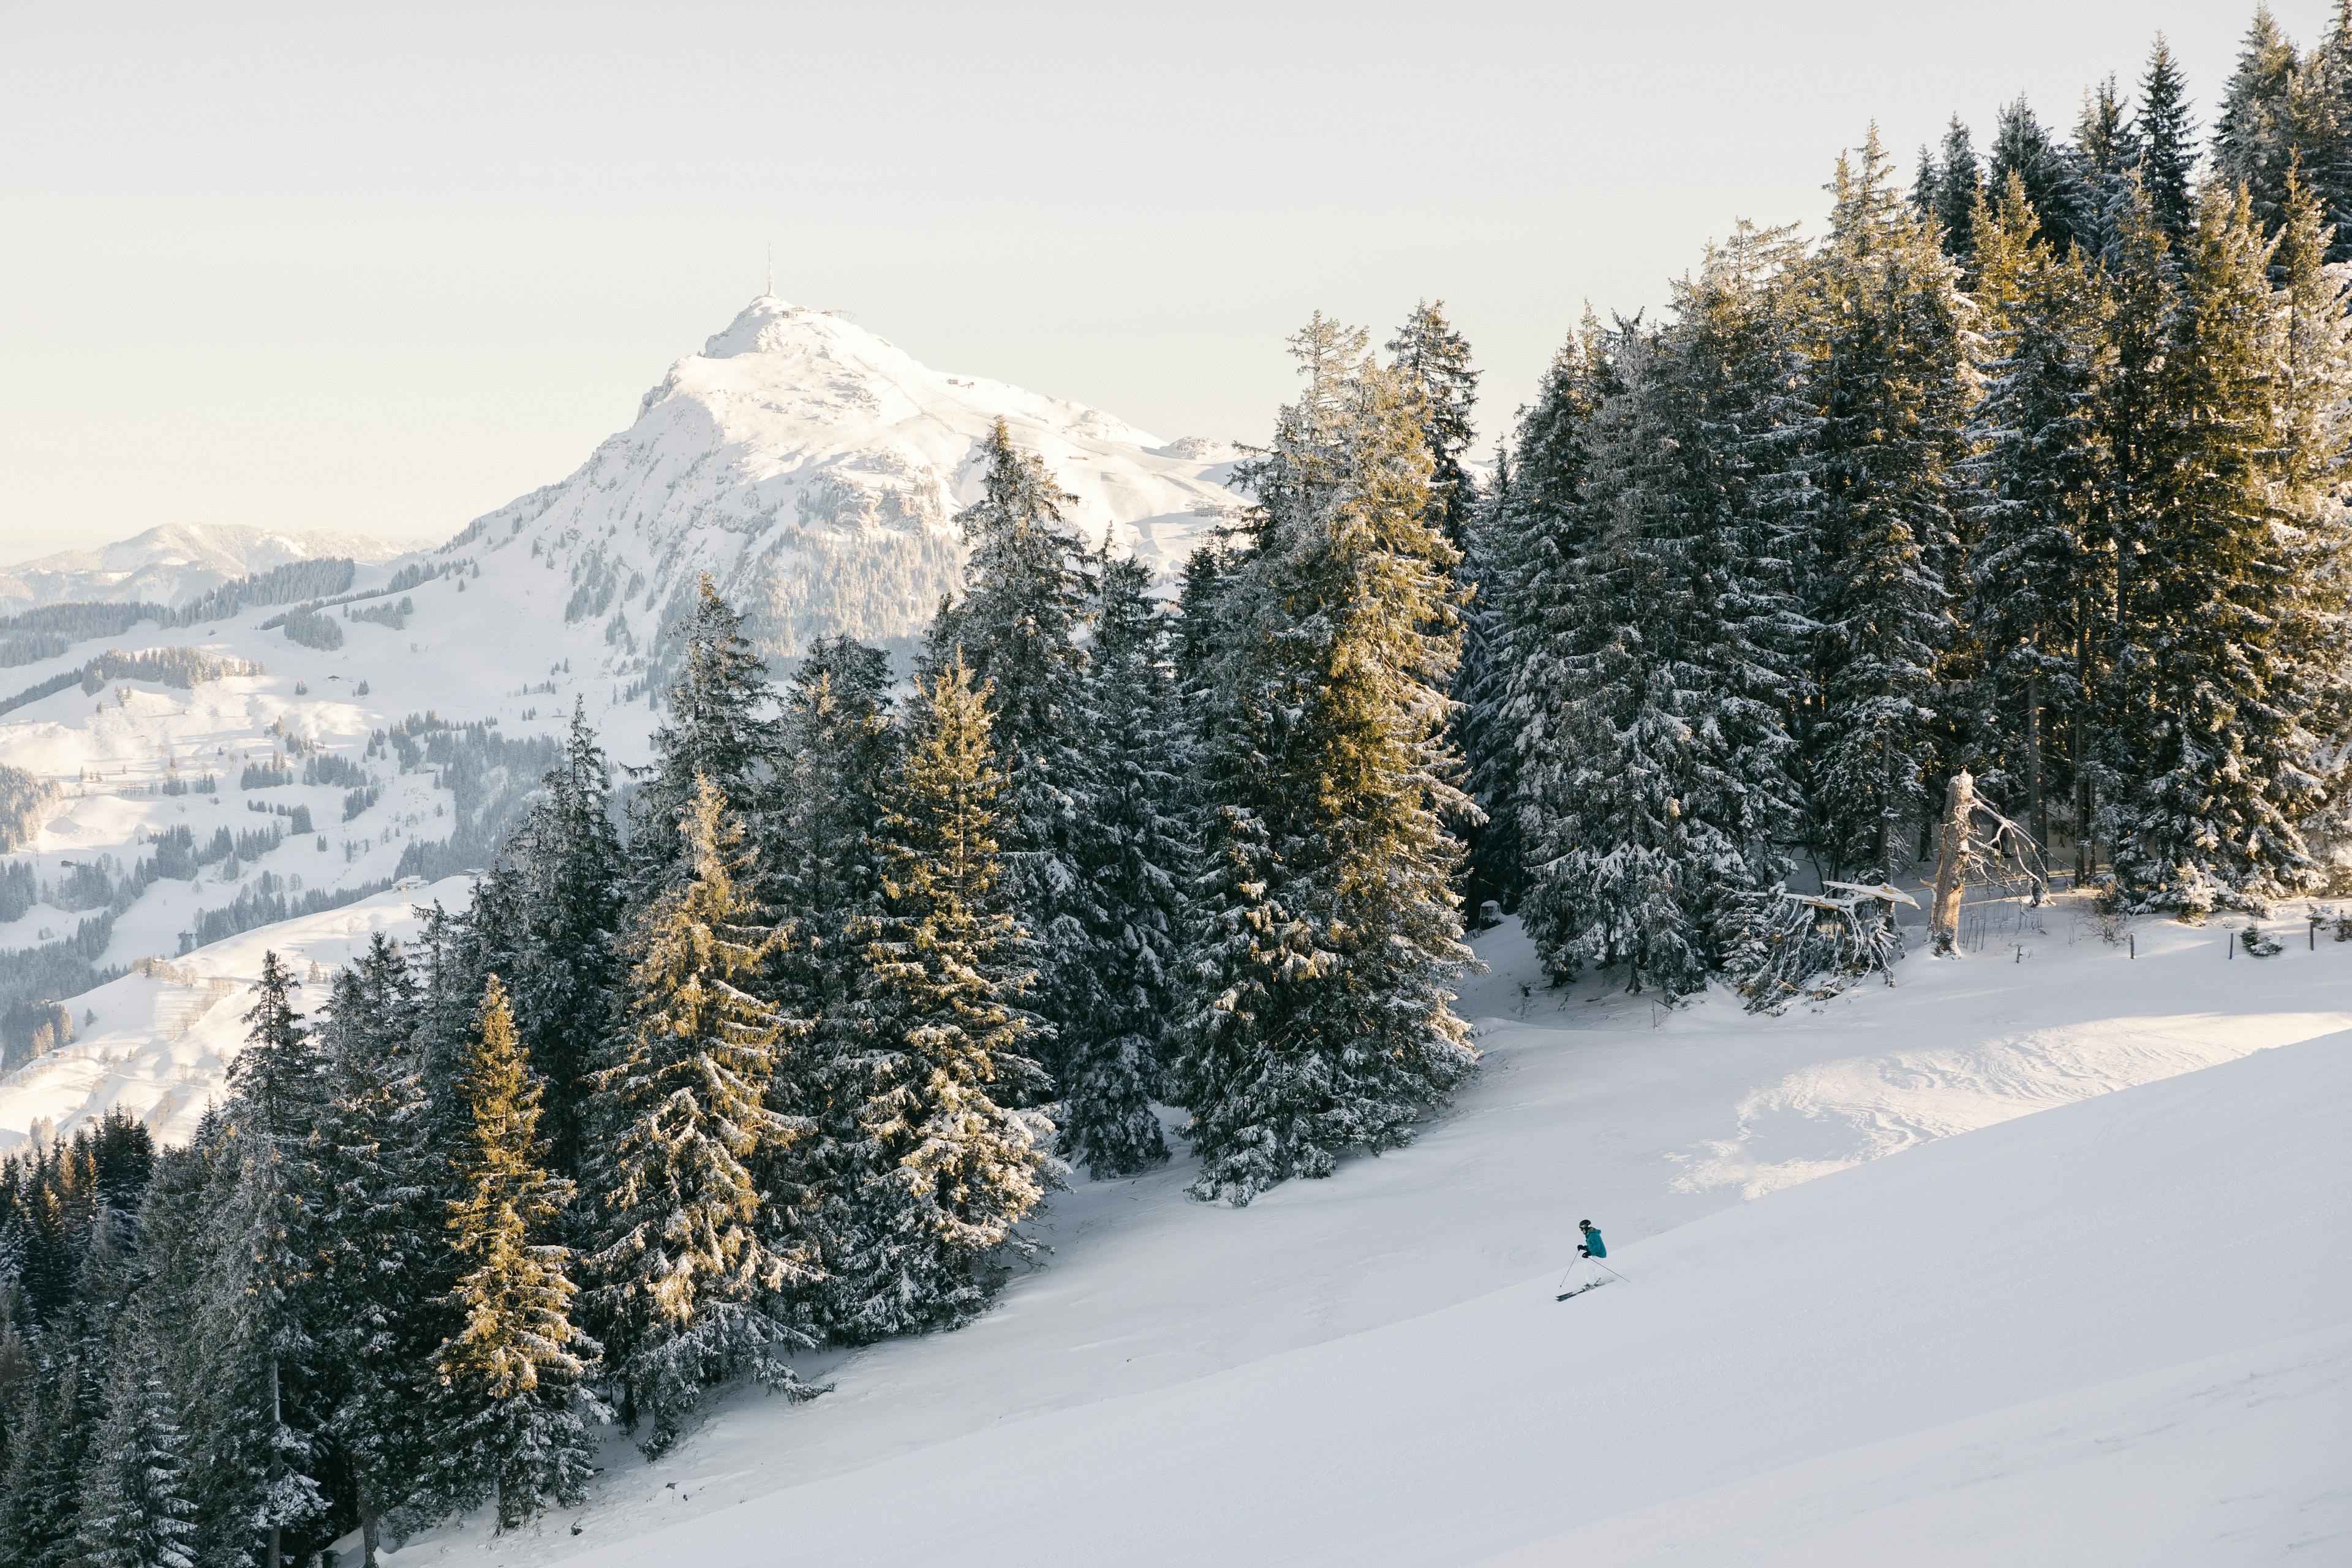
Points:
[(2033, 1259)]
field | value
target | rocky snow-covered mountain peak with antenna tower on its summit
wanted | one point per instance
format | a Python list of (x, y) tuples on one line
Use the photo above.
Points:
[(815, 469)]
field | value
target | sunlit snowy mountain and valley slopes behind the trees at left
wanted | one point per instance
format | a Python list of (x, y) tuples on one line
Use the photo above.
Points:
[(801, 460)]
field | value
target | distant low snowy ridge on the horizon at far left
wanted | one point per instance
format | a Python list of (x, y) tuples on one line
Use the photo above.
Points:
[(175, 563)]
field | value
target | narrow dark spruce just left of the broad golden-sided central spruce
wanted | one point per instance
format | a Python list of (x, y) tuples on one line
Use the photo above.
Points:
[(1137, 862)]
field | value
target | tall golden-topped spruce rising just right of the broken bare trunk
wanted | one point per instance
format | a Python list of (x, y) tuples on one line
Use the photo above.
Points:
[(2036, 579)]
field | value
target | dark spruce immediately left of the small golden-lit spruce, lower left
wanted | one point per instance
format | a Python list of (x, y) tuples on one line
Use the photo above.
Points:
[(377, 1261)]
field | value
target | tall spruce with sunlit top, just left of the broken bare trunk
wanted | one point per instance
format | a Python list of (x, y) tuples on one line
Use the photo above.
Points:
[(1892, 394)]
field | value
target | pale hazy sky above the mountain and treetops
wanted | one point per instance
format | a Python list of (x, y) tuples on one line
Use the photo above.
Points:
[(389, 267)]
